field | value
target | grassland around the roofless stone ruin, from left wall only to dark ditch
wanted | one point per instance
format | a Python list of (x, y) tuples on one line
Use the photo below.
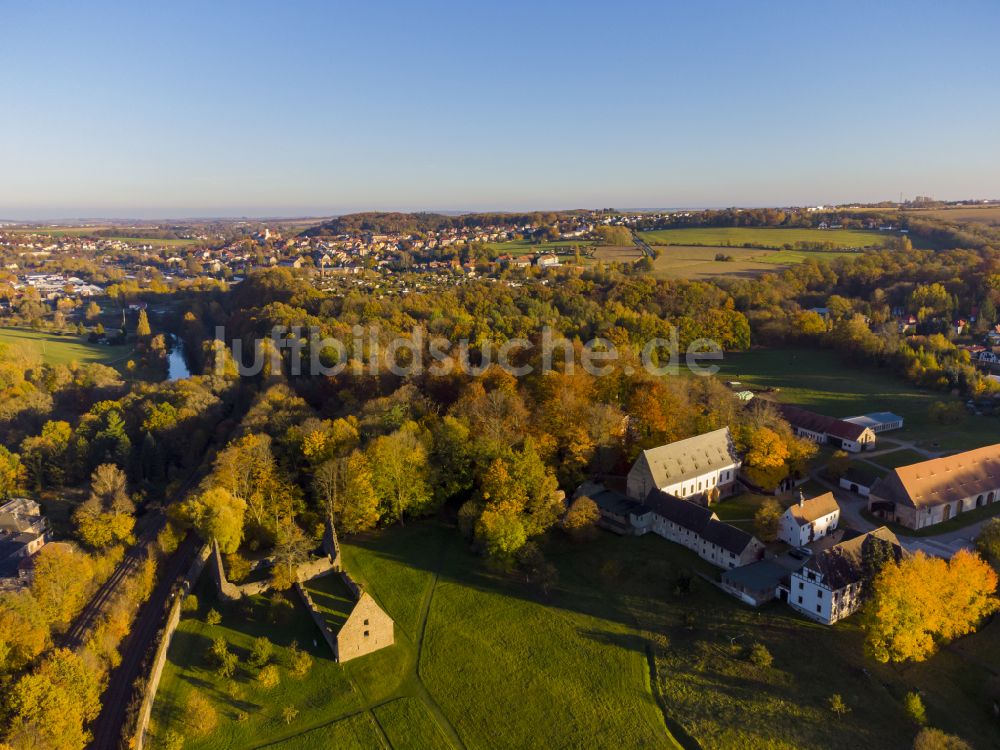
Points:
[(497, 668)]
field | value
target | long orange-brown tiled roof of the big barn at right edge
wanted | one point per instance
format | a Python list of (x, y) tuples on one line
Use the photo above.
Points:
[(942, 480)]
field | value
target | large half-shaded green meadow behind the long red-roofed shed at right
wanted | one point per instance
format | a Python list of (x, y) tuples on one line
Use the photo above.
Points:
[(819, 379)]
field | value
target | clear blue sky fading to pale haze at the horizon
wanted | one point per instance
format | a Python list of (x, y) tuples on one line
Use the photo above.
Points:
[(289, 108)]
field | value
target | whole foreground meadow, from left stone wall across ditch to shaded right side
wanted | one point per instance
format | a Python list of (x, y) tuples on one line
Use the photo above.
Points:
[(482, 661)]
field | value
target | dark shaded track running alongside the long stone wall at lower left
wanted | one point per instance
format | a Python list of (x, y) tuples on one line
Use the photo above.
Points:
[(115, 701)]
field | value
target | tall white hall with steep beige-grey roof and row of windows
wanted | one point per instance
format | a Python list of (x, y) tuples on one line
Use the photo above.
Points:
[(687, 469)]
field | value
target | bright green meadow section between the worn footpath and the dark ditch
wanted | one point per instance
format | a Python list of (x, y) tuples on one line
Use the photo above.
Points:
[(570, 674)]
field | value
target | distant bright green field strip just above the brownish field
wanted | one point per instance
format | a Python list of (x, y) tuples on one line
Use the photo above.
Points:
[(766, 237)]
